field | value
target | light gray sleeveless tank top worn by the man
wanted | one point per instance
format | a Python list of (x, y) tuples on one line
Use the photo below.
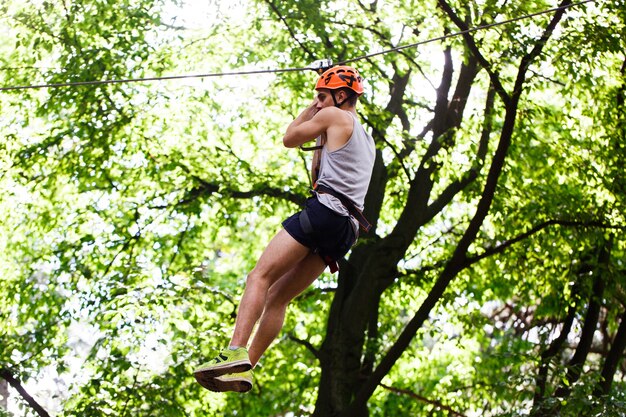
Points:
[(348, 170)]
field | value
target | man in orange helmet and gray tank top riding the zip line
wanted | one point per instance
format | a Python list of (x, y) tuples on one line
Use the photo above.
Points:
[(315, 238)]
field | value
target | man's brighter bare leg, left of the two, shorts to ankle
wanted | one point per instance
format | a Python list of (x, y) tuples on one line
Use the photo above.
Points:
[(282, 254)]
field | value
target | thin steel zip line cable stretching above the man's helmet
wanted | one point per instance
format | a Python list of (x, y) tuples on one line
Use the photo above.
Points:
[(274, 71)]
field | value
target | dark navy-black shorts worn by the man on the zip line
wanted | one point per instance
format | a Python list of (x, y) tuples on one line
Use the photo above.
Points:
[(333, 234)]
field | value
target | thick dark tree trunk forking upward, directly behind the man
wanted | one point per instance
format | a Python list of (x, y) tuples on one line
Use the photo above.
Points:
[(372, 266)]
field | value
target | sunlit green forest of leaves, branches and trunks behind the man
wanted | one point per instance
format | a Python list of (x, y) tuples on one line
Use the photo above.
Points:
[(492, 285)]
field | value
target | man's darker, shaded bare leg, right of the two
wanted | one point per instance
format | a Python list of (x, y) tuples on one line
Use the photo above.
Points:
[(279, 295)]
